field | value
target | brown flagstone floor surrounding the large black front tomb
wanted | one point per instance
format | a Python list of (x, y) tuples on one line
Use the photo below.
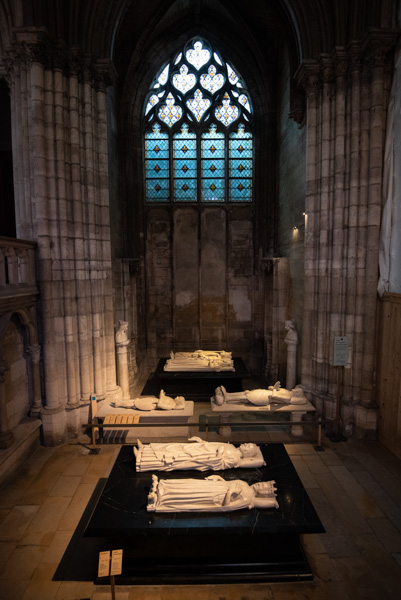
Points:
[(355, 488)]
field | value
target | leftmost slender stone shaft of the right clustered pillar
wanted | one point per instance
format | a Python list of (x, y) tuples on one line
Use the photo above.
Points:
[(311, 229)]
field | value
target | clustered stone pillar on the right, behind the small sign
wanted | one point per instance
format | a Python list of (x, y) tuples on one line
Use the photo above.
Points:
[(345, 148)]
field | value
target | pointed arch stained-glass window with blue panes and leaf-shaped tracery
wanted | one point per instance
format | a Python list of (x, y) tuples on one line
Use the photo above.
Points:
[(198, 130)]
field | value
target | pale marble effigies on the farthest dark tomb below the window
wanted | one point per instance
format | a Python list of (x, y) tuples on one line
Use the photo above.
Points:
[(200, 360)]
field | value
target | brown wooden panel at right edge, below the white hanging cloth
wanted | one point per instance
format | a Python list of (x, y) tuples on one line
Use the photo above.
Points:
[(389, 372)]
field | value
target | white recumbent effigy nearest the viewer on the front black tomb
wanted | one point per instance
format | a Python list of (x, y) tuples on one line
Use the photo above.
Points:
[(212, 494)]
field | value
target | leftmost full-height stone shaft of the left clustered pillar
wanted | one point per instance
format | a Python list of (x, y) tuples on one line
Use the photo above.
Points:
[(41, 224)]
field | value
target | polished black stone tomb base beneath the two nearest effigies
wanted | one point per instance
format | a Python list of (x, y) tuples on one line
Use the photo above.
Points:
[(242, 546)]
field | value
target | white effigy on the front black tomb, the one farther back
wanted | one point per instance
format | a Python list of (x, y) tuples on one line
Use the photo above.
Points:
[(196, 454)]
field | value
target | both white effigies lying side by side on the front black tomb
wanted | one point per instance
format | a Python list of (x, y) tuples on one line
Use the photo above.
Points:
[(212, 494)]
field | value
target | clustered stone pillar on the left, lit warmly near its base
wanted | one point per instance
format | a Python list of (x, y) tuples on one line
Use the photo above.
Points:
[(61, 189)]
